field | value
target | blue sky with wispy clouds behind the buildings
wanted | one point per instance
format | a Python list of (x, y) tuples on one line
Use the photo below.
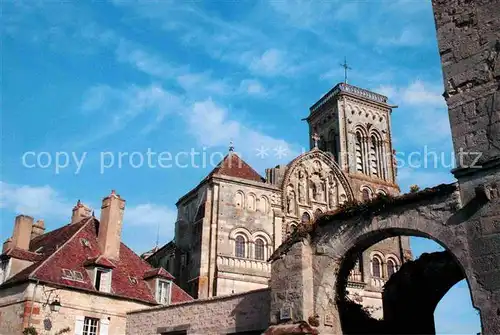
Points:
[(170, 76)]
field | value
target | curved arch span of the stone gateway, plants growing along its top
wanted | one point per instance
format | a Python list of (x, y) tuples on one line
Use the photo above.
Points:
[(437, 217)]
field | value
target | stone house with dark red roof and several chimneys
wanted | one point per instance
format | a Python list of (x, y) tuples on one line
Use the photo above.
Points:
[(78, 279)]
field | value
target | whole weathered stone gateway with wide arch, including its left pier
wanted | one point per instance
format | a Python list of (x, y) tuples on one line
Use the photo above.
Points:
[(310, 270)]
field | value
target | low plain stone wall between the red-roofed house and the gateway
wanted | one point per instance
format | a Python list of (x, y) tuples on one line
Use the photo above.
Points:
[(219, 315)]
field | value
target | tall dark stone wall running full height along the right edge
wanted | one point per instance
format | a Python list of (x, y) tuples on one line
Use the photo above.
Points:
[(468, 35)]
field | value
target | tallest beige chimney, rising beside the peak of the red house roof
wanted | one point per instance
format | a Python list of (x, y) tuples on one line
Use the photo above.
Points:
[(110, 227)]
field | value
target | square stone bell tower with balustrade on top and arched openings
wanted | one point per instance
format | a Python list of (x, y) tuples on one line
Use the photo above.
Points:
[(354, 126)]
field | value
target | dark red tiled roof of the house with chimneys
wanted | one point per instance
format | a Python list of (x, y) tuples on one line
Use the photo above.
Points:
[(74, 247)]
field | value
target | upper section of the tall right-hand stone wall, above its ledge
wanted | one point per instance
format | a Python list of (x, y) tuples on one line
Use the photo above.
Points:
[(468, 35)]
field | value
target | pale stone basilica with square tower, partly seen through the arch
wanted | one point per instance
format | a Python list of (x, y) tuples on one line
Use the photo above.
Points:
[(232, 221)]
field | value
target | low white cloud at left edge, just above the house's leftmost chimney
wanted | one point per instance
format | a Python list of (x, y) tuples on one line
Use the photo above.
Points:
[(38, 201)]
